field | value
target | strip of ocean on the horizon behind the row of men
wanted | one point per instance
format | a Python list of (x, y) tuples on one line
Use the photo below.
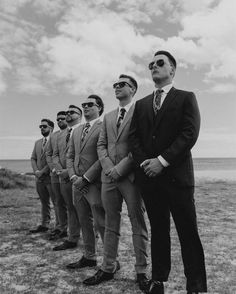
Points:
[(211, 168)]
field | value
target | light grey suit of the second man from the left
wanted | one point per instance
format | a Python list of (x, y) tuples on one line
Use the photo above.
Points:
[(59, 203)]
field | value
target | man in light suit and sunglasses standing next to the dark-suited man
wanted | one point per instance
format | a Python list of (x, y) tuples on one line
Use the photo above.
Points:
[(118, 186)]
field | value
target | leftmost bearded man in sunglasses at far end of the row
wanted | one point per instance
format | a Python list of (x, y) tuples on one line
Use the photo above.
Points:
[(42, 174)]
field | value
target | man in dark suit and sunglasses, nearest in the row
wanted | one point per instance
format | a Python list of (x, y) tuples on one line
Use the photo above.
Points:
[(164, 128)]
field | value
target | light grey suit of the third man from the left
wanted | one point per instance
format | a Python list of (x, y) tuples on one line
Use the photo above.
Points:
[(59, 161)]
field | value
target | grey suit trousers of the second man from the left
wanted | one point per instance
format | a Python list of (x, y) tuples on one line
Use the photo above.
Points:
[(60, 207)]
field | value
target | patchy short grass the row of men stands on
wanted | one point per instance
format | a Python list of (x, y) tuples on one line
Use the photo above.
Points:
[(28, 264)]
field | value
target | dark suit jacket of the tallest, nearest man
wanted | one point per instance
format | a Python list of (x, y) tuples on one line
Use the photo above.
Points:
[(171, 133)]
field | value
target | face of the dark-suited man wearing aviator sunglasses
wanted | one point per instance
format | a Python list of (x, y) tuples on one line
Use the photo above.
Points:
[(161, 69)]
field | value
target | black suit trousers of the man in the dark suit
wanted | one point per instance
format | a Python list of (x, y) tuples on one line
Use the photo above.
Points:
[(161, 198)]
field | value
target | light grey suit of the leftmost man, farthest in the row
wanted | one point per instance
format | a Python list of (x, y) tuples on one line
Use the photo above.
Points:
[(43, 184)]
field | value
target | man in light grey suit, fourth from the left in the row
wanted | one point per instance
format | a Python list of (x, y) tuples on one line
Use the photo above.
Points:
[(84, 169)]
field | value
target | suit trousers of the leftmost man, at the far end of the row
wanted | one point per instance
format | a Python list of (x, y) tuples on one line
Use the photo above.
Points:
[(44, 191)]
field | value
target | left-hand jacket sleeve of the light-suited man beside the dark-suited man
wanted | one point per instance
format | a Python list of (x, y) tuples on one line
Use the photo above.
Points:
[(102, 144)]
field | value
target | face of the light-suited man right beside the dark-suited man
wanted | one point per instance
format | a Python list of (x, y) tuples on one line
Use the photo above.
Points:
[(123, 89)]
